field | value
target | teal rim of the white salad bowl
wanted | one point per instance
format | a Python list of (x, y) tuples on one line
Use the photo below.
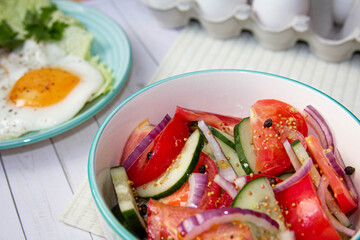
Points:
[(100, 204)]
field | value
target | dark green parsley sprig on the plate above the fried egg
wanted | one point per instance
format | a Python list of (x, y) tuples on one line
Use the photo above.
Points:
[(37, 26)]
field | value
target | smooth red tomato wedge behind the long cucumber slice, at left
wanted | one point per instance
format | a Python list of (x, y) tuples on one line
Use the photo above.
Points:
[(166, 148)]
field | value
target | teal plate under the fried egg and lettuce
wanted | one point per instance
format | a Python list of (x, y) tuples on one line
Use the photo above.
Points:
[(112, 45)]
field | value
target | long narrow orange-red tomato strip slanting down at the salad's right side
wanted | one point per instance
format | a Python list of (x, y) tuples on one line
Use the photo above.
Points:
[(341, 192)]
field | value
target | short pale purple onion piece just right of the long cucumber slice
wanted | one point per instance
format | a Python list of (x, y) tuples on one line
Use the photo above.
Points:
[(197, 185)]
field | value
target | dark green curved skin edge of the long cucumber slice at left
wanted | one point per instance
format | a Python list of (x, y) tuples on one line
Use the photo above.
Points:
[(185, 177)]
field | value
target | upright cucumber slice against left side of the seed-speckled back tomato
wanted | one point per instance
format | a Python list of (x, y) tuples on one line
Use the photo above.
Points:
[(244, 146)]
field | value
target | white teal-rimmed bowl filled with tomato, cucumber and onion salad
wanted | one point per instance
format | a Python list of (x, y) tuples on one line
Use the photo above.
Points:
[(227, 154)]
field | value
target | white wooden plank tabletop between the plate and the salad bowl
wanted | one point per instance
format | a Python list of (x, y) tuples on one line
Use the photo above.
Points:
[(38, 180)]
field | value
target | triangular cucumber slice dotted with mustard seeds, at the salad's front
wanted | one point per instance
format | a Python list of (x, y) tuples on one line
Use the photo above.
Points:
[(258, 195)]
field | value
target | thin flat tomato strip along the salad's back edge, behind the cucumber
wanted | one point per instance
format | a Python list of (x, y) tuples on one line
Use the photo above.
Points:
[(222, 122)]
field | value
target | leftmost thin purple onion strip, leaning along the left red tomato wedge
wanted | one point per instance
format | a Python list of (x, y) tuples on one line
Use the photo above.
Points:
[(145, 142)]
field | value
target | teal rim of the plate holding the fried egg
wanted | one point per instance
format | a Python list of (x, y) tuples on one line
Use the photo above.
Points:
[(120, 76)]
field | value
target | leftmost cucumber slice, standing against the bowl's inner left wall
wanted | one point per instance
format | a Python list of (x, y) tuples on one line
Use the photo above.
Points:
[(126, 201)]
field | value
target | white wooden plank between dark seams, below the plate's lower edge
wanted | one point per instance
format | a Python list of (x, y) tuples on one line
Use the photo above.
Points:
[(40, 189)]
